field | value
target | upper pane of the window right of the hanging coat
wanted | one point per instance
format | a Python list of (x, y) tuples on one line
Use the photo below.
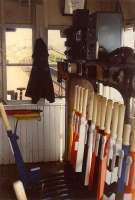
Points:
[(55, 46)]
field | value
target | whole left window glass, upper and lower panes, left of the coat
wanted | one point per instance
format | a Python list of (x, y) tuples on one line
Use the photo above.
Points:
[(18, 61)]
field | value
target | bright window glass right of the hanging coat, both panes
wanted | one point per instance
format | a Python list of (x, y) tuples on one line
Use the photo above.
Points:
[(56, 48)]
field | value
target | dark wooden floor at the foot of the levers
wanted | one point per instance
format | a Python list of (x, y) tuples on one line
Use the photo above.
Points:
[(60, 183)]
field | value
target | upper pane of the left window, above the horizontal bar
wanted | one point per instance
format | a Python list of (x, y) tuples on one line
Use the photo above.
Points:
[(19, 46)]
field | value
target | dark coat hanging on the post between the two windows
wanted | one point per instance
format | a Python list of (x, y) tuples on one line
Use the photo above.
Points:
[(40, 83)]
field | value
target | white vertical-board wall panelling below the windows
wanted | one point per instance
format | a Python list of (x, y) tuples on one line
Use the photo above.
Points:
[(38, 140)]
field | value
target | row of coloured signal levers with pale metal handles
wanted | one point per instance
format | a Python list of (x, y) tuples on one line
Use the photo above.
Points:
[(102, 145)]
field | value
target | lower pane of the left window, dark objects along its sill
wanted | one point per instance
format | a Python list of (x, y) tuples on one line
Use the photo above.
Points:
[(17, 77)]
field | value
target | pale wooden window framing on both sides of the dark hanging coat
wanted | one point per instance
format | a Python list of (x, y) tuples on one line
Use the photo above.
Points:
[(3, 70)]
